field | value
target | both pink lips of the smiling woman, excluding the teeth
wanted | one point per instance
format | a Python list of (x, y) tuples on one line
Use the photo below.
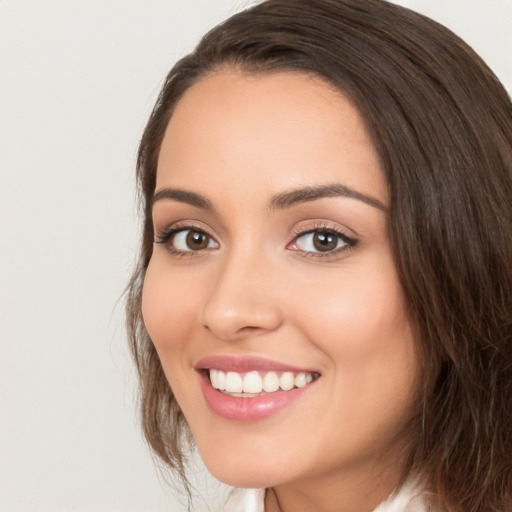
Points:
[(245, 408)]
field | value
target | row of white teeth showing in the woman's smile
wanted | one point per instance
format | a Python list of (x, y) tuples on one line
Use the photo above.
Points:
[(258, 383)]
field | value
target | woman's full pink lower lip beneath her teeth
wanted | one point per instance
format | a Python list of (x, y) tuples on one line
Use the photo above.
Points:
[(247, 408)]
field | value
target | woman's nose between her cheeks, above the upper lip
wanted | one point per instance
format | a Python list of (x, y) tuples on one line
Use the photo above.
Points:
[(242, 301)]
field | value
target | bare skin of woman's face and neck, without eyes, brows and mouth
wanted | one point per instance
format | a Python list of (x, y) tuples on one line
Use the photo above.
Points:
[(259, 289)]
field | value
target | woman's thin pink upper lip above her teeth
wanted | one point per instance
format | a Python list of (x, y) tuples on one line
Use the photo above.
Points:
[(245, 364)]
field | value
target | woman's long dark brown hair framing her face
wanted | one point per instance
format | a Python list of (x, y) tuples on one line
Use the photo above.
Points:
[(442, 125)]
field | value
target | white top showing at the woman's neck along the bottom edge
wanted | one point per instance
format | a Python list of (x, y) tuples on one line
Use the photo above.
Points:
[(408, 499)]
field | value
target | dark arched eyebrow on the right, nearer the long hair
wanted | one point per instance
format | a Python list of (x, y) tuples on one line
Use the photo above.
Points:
[(306, 194)]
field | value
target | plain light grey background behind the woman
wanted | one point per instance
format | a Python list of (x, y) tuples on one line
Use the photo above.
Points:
[(77, 82)]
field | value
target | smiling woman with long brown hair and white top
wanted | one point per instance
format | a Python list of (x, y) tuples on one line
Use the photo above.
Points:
[(323, 297)]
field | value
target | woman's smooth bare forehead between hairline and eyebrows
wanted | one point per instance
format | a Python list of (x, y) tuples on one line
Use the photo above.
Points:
[(281, 130)]
